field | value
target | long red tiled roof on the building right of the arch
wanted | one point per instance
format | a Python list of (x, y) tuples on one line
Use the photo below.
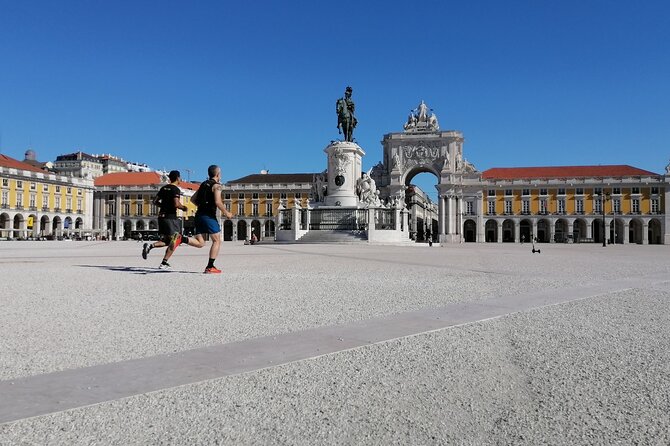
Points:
[(513, 173)]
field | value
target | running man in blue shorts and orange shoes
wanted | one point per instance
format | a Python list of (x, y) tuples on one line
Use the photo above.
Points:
[(208, 199)]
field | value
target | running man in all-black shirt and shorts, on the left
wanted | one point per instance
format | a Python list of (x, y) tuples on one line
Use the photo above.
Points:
[(169, 225)]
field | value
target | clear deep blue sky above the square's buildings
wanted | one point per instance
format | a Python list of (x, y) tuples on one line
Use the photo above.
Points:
[(253, 85)]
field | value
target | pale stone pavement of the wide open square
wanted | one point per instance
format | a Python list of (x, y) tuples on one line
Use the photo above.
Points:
[(568, 346)]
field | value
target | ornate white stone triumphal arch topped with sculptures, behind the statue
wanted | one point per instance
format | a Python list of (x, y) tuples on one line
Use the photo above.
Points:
[(423, 147)]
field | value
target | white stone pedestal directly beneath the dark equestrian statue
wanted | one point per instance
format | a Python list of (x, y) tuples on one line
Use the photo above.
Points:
[(344, 170)]
